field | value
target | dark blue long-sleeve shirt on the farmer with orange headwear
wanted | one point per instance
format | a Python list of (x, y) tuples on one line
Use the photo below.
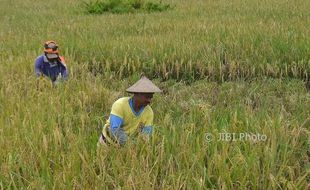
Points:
[(43, 66)]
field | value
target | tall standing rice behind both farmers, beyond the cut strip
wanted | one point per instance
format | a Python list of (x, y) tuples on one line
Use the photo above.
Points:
[(212, 39)]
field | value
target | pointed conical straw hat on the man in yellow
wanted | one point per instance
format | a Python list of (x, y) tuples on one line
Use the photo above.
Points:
[(144, 85)]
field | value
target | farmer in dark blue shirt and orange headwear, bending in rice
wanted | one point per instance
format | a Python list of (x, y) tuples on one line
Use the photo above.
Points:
[(50, 64)]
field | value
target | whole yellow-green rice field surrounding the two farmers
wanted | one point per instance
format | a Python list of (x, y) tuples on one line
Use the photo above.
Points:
[(253, 61)]
